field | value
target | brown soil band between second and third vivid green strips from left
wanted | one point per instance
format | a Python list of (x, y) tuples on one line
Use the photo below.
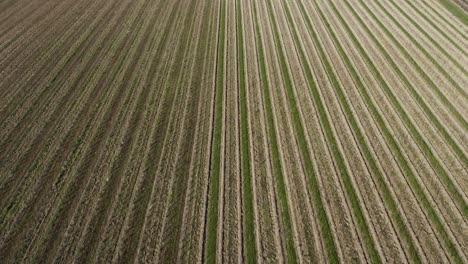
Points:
[(273, 243)]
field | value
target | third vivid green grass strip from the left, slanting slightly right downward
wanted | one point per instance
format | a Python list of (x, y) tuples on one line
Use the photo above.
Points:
[(280, 178)]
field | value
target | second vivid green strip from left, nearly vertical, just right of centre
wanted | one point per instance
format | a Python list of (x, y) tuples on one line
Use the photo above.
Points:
[(251, 250)]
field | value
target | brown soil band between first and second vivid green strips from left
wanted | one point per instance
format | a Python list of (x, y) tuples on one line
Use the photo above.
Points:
[(230, 245)]
